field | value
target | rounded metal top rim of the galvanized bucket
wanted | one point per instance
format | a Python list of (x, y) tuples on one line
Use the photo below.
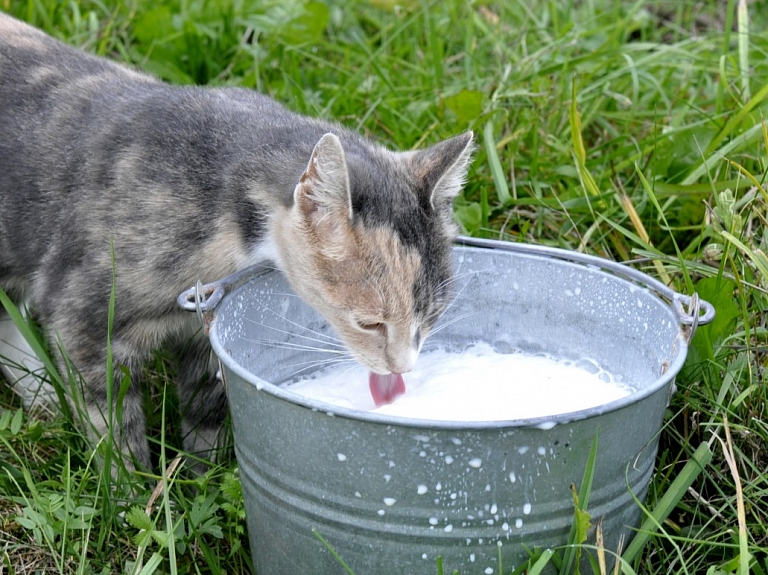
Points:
[(680, 347)]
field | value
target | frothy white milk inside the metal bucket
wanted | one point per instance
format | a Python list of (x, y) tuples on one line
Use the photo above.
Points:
[(478, 384)]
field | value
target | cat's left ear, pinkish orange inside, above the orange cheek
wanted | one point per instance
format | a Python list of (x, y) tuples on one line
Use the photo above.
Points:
[(323, 189)]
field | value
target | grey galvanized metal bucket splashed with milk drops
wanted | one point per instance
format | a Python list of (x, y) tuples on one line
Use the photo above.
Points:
[(390, 495)]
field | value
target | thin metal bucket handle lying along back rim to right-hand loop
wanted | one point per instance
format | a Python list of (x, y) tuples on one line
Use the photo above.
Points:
[(690, 310)]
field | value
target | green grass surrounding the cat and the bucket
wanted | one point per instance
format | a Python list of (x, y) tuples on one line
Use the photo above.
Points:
[(629, 130)]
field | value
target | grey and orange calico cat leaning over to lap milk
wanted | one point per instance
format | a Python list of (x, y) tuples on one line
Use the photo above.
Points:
[(105, 169)]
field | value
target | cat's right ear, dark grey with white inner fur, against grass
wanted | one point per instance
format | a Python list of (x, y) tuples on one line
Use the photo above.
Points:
[(442, 168)]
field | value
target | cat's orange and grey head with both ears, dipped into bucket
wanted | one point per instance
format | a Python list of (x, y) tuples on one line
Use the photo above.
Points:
[(368, 242)]
